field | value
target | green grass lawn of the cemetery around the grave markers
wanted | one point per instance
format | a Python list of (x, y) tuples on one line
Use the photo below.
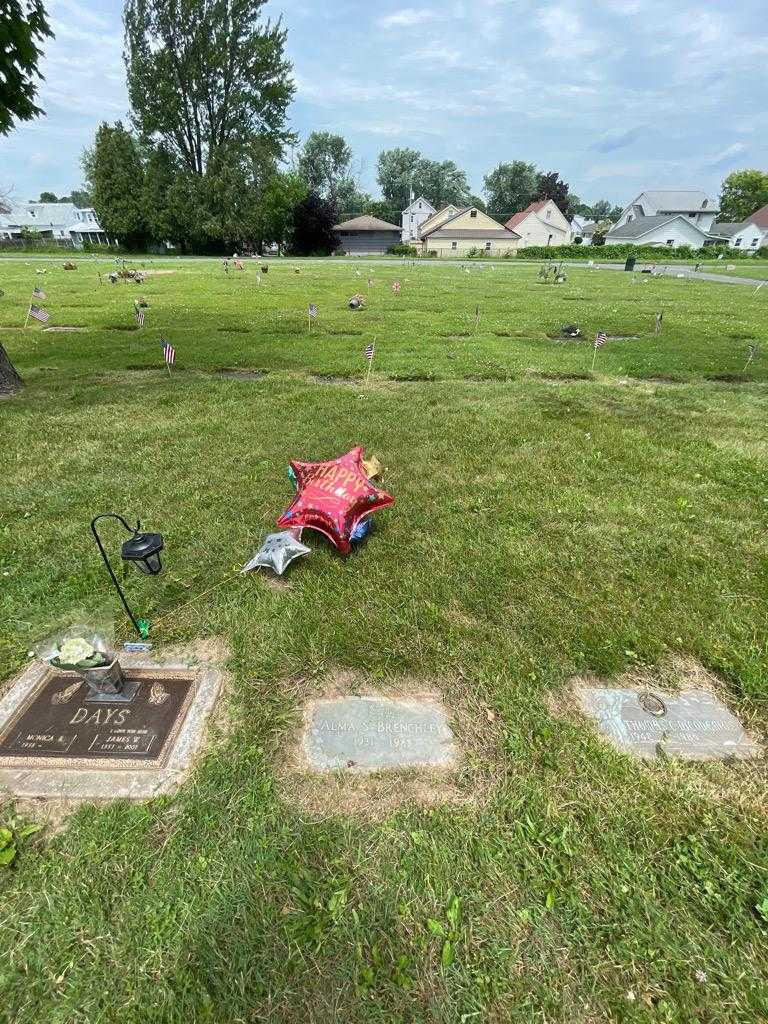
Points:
[(550, 523)]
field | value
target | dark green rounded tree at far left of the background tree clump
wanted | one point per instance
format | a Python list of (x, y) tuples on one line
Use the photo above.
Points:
[(116, 179)]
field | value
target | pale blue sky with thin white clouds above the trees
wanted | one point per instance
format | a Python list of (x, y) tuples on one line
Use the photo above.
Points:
[(618, 96)]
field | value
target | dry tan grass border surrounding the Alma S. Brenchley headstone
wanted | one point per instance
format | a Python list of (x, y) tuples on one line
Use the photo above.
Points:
[(377, 795)]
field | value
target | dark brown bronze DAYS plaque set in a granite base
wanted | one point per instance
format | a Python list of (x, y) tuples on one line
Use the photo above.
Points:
[(59, 723)]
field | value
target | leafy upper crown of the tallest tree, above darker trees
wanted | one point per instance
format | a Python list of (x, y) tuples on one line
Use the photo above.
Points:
[(208, 77)]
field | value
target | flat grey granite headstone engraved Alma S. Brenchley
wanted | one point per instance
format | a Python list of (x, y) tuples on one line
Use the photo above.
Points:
[(369, 734)]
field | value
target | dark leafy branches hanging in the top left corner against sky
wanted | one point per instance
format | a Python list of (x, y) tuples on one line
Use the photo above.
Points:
[(24, 24)]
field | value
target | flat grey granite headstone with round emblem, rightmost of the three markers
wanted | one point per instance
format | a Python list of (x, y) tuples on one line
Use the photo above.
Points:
[(693, 726)]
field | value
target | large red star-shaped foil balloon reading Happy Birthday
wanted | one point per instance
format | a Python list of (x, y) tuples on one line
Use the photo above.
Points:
[(333, 497)]
